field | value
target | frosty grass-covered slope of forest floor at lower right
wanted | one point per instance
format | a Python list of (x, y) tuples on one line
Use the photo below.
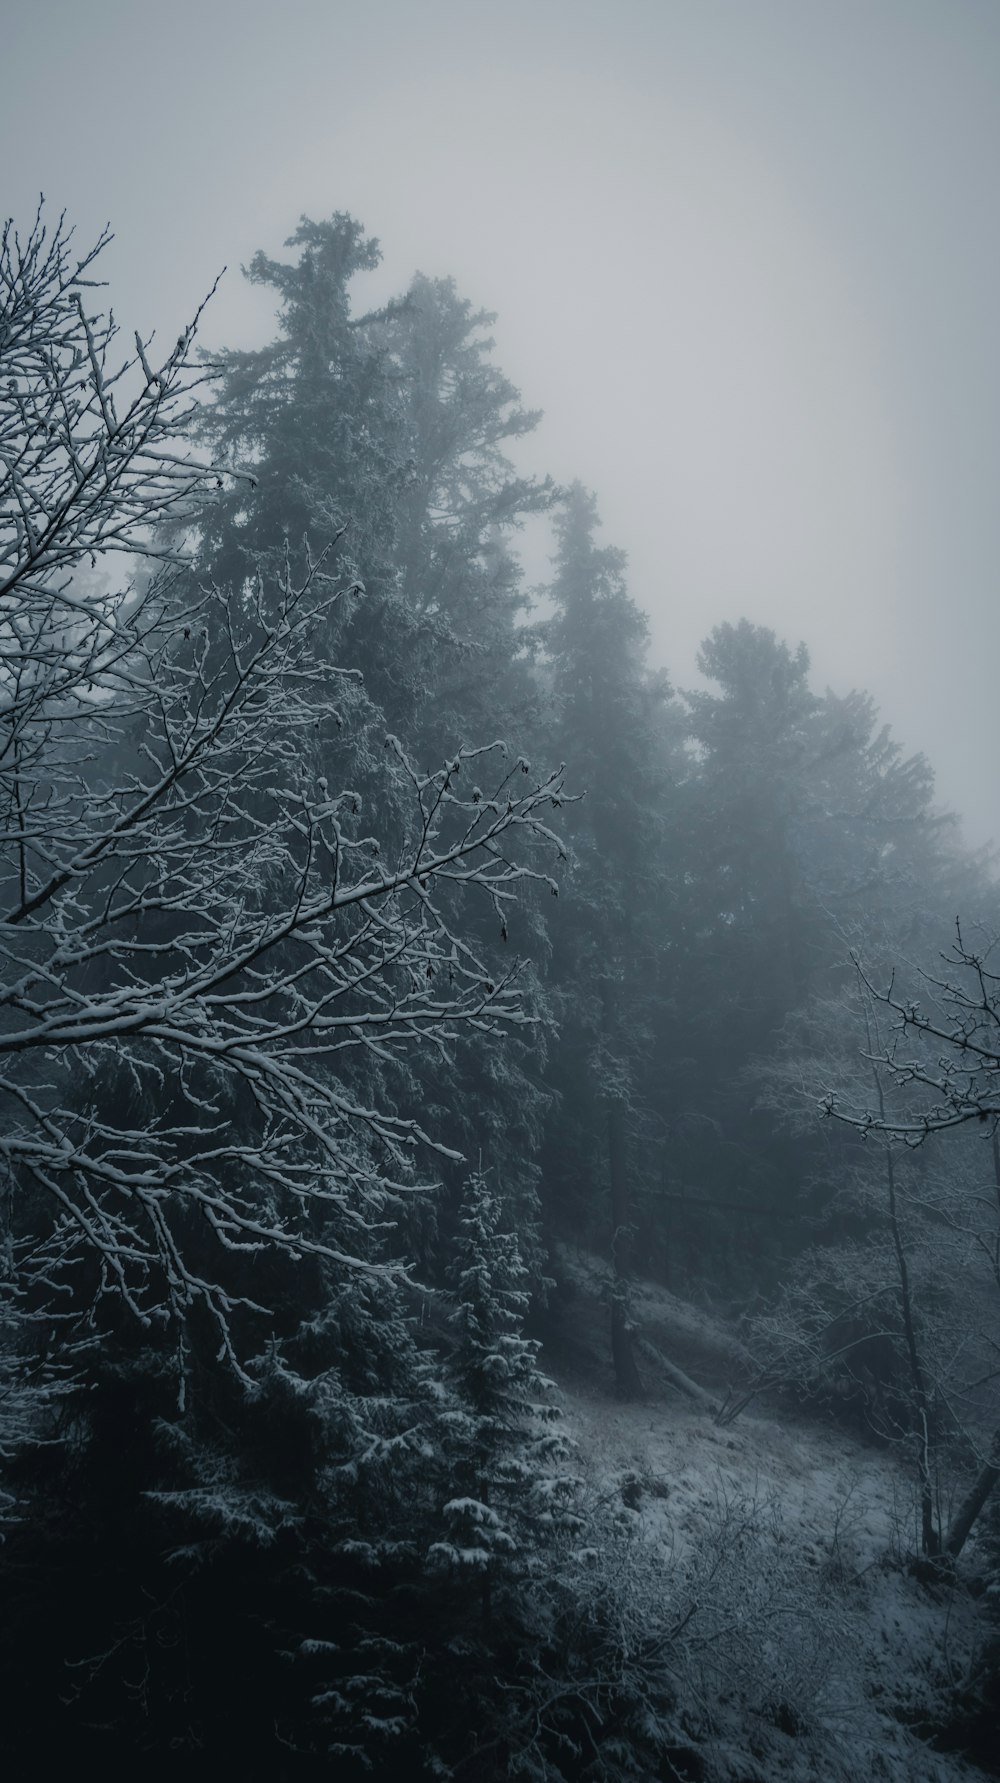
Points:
[(807, 1647)]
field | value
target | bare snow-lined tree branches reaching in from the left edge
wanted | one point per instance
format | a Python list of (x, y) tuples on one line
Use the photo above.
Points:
[(208, 953)]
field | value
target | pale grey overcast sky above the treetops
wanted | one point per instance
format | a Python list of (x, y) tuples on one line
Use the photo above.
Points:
[(746, 256)]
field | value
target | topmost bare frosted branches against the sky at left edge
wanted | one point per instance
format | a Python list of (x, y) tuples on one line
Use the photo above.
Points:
[(90, 443)]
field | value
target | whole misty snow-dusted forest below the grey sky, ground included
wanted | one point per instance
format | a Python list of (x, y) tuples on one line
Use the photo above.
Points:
[(418, 1014)]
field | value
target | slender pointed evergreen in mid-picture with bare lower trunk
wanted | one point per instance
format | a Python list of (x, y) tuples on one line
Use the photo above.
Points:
[(611, 957)]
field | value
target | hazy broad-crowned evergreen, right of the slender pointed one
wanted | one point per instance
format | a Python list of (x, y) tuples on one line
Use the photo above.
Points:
[(807, 834)]
